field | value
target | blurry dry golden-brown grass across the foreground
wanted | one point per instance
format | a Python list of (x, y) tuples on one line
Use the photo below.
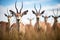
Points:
[(31, 34)]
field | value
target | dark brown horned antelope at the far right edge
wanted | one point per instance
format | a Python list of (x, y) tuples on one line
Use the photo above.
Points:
[(55, 27)]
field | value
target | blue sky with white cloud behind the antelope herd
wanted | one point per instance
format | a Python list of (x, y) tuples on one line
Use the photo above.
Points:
[(46, 5)]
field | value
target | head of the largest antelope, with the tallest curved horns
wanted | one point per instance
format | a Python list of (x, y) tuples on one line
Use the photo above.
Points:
[(19, 14)]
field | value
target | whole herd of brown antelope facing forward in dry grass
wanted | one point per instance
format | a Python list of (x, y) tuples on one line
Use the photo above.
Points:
[(21, 27)]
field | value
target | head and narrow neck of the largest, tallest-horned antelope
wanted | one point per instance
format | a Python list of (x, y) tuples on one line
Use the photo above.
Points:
[(19, 14)]
